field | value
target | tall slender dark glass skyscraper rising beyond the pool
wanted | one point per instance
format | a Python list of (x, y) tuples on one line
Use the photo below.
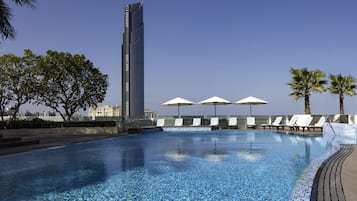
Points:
[(133, 62)]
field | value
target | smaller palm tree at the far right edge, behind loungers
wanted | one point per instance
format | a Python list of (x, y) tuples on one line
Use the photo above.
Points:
[(342, 85)]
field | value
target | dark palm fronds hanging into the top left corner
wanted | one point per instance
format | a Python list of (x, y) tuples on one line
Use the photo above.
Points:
[(6, 29)]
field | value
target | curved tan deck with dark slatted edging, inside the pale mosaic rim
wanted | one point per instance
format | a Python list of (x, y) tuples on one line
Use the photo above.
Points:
[(337, 177)]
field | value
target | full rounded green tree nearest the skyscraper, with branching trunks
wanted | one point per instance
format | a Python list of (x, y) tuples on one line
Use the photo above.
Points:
[(68, 83)]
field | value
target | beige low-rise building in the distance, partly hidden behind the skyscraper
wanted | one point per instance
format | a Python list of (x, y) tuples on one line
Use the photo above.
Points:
[(114, 111)]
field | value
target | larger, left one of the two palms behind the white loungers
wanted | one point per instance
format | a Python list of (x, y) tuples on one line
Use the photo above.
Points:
[(304, 82)]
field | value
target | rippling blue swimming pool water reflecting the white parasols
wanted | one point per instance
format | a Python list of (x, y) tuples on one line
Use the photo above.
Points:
[(215, 165)]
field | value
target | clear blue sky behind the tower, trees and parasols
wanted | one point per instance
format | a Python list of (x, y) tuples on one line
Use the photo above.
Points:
[(201, 48)]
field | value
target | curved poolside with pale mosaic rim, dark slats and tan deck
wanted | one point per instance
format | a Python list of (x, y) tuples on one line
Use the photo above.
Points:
[(315, 183)]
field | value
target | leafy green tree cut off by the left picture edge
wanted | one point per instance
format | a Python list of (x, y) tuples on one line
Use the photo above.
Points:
[(17, 79)]
